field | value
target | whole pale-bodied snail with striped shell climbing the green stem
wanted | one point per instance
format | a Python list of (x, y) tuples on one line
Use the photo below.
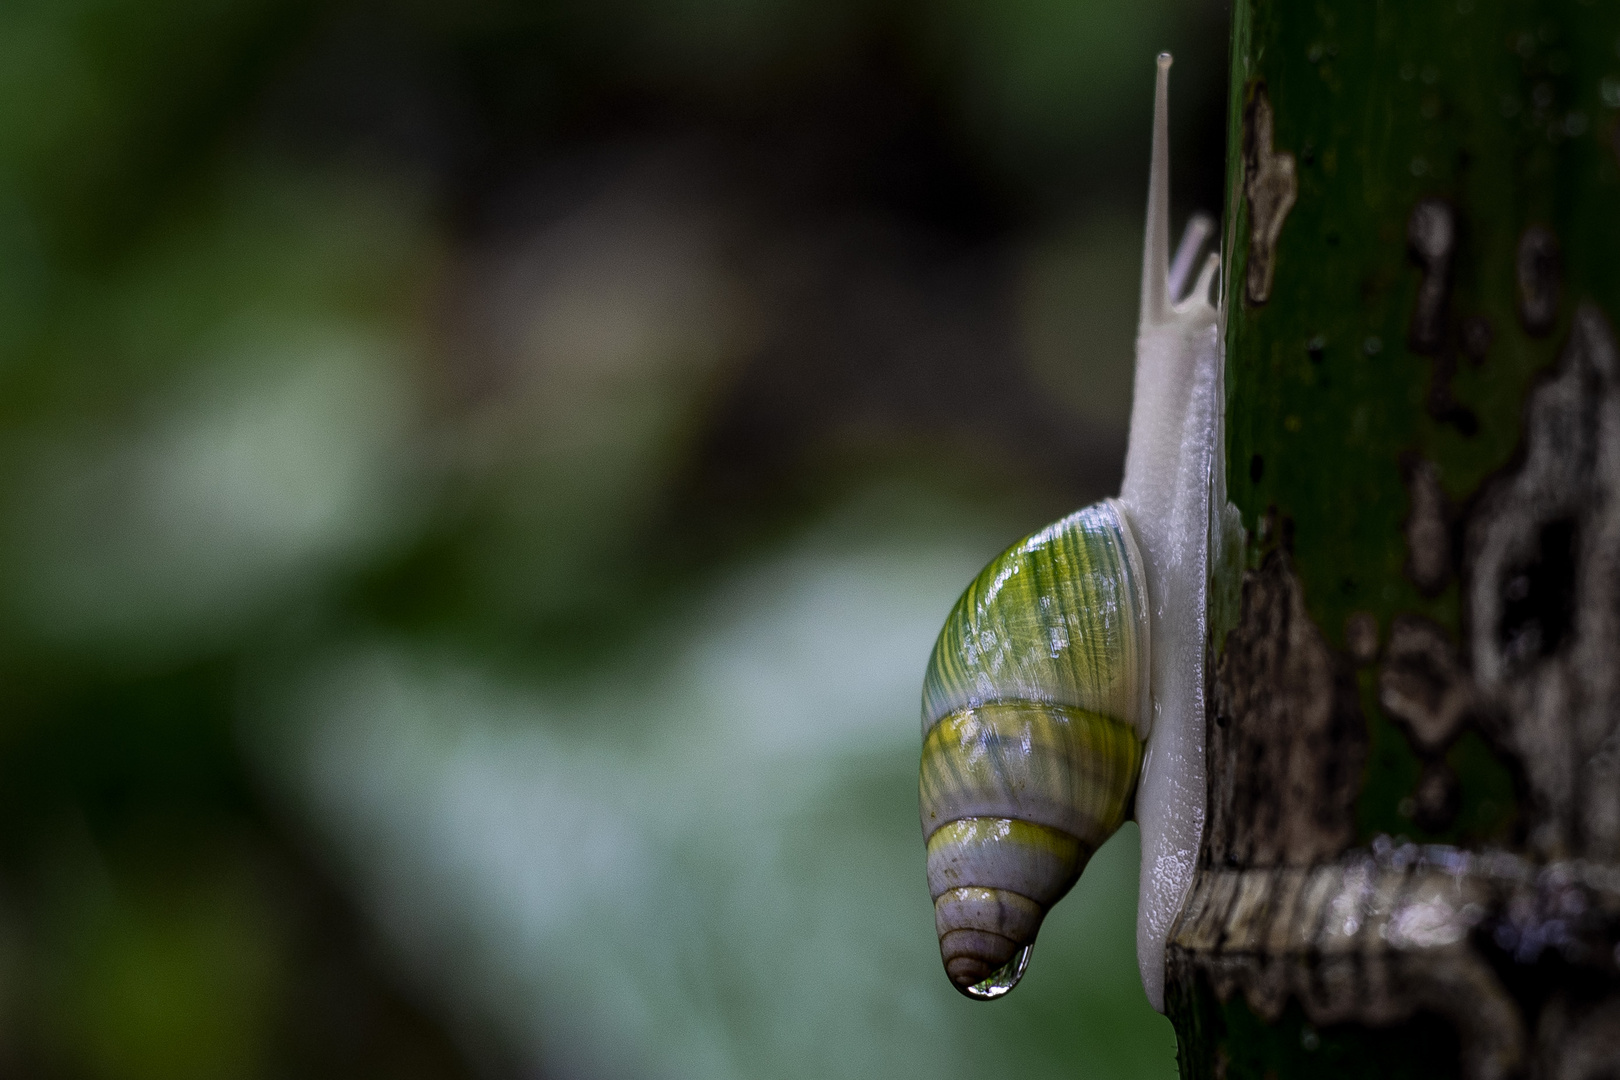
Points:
[(1067, 691)]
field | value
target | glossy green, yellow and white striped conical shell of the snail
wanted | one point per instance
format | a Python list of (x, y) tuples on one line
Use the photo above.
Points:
[(1034, 713)]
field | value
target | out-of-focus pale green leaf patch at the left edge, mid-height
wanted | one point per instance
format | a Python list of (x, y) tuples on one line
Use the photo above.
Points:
[(221, 427)]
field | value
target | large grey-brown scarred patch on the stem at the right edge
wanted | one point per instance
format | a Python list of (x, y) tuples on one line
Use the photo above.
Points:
[(1543, 600)]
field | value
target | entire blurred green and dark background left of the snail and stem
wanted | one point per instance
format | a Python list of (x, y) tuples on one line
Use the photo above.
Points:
[(479, 485)]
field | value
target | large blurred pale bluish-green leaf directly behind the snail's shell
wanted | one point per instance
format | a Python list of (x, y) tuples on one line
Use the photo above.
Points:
[(704, 861)]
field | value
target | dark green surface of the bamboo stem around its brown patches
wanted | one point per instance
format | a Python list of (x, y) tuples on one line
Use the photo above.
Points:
[(1509, 114)]
